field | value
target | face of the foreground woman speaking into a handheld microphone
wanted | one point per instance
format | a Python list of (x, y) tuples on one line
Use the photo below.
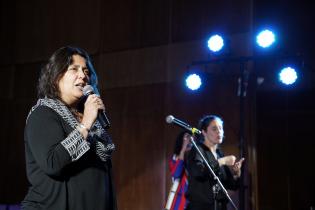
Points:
[(74, 79)]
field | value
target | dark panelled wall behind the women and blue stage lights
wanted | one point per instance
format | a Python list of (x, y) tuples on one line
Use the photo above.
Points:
[(141, 49)]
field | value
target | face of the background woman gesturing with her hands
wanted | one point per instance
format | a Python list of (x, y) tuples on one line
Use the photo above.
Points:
[(214, 132)]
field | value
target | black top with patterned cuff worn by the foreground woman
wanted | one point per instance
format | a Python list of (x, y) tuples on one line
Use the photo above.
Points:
[(65, 171)]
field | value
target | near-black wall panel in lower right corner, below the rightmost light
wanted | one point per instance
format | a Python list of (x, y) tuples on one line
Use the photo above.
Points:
[(285, 149)]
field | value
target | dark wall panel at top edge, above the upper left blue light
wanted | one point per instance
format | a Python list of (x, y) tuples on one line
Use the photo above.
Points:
[(198, 19)]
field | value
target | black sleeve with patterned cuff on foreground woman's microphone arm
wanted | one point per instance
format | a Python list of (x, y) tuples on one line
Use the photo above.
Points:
[(48, 141)]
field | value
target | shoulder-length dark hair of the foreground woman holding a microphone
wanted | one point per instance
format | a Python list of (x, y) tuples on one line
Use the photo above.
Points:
[(55, 68)]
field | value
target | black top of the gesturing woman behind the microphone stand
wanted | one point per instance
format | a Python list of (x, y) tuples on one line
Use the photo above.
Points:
[(200, 181)]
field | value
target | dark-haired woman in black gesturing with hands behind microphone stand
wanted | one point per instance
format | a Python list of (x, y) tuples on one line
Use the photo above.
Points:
[(200, 189)]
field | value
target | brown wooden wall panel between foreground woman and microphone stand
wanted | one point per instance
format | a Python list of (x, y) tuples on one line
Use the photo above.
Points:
[(137, 129)]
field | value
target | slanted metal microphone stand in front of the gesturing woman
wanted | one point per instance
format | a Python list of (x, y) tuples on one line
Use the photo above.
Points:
[(216, 187)]
